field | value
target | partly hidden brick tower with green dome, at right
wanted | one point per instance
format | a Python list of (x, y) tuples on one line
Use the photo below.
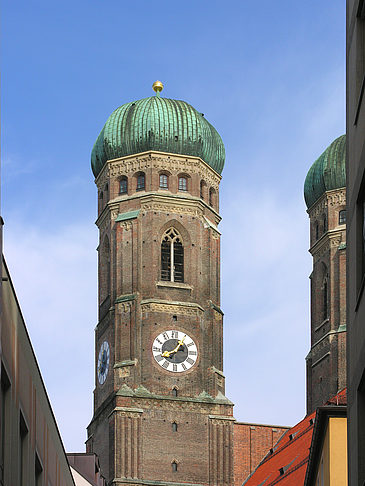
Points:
[(325, 196)]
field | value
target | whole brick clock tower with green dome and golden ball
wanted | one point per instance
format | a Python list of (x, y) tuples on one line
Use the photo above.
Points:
[(160, 411)]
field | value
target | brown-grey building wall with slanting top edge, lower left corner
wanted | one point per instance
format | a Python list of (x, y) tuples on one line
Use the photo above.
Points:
[(24, 400)]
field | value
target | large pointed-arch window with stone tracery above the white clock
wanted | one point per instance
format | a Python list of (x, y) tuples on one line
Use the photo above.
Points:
[(172, 257)]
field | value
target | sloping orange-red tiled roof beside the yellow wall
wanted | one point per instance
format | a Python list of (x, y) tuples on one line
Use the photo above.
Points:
[(286, 463)]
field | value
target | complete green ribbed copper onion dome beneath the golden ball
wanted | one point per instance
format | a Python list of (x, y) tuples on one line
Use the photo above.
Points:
[(160, 124)]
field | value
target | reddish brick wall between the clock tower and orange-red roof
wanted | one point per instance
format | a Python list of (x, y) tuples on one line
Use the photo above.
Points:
[(251, 443)]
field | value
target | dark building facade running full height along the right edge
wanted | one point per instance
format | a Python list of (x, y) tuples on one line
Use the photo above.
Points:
[(355, 129)]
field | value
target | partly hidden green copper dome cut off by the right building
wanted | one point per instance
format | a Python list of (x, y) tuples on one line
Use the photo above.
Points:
[(328, 172)]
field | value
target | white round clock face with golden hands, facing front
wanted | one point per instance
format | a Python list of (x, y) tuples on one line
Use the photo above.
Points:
[(175, 351)]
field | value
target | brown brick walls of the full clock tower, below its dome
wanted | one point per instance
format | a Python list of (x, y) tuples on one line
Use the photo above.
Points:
[(135, 408)]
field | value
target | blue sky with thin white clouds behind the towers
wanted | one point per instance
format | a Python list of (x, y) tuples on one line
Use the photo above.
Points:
[(268, 75)]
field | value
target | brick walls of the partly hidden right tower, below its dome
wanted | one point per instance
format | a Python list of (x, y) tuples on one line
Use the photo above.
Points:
[(326, 362)]
